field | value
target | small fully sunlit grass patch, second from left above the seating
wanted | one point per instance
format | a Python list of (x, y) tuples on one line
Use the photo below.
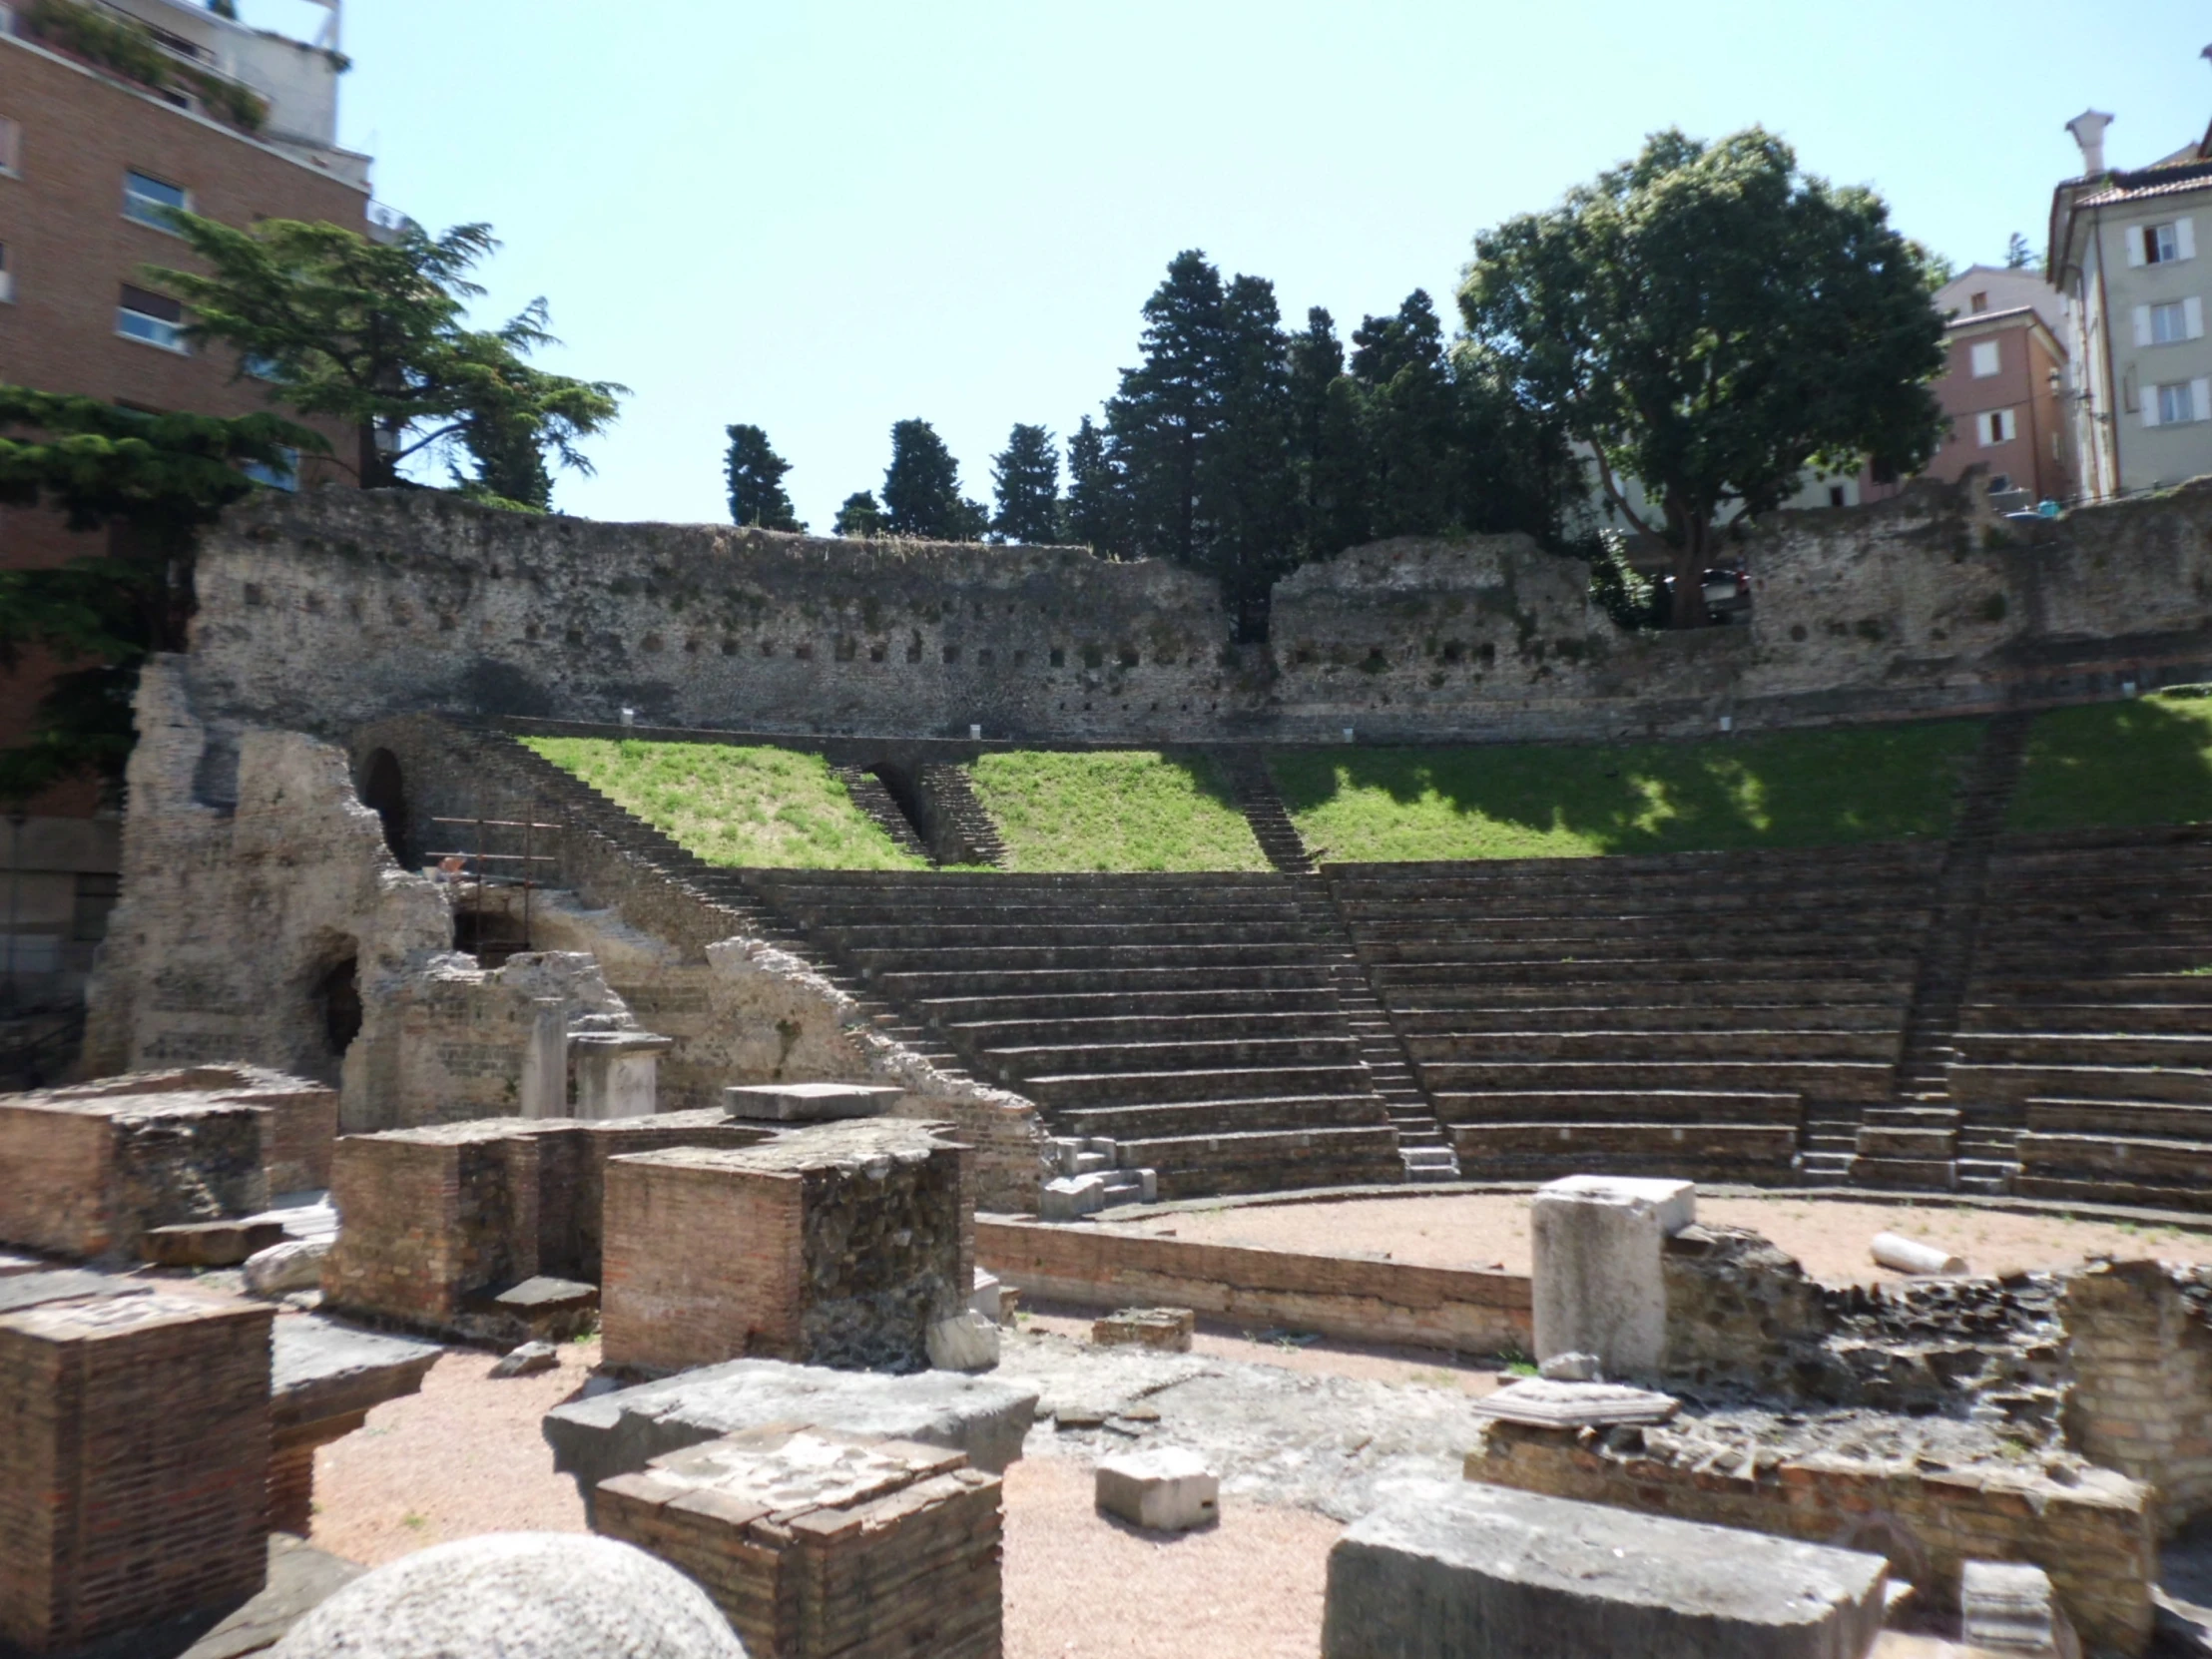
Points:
[(1114, 811)]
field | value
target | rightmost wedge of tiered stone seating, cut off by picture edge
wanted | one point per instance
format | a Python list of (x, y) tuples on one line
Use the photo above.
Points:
[(2089, 1019)]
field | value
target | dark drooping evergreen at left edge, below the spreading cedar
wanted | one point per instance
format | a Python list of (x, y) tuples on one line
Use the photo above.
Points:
[(149, 483)]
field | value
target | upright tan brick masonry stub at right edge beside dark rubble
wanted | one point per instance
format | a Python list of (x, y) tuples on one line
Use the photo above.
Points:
[(2142, 1361)]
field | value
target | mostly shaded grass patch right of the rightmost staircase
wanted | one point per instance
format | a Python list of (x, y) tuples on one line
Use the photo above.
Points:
[(2118, 764)]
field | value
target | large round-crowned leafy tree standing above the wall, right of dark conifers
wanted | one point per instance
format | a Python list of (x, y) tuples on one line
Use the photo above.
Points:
[(1713, 322)]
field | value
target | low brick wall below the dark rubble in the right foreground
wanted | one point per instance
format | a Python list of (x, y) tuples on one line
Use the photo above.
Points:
[(2094, 1538)]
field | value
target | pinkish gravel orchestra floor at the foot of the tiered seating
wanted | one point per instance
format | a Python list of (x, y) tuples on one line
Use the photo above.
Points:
[(1828, 1235)]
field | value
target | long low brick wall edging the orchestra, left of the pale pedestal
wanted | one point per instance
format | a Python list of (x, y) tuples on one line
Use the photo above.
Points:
[(1368, 1302)]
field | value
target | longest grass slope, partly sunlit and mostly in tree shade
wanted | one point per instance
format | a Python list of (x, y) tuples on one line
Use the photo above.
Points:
[(1534, 802)]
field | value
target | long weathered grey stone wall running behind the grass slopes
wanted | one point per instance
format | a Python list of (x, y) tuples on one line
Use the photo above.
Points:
[(328, 612)]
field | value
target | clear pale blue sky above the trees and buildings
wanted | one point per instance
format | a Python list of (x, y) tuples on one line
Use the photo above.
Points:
[(826, 218)]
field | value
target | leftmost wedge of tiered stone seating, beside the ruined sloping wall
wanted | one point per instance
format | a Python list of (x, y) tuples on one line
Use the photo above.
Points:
[(1189, 1019)]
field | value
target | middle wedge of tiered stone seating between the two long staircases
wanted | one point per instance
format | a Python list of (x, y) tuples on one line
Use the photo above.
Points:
[(1653, 1014)]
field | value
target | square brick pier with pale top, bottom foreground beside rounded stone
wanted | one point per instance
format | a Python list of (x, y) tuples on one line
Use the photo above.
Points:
[(820, 1547)]
